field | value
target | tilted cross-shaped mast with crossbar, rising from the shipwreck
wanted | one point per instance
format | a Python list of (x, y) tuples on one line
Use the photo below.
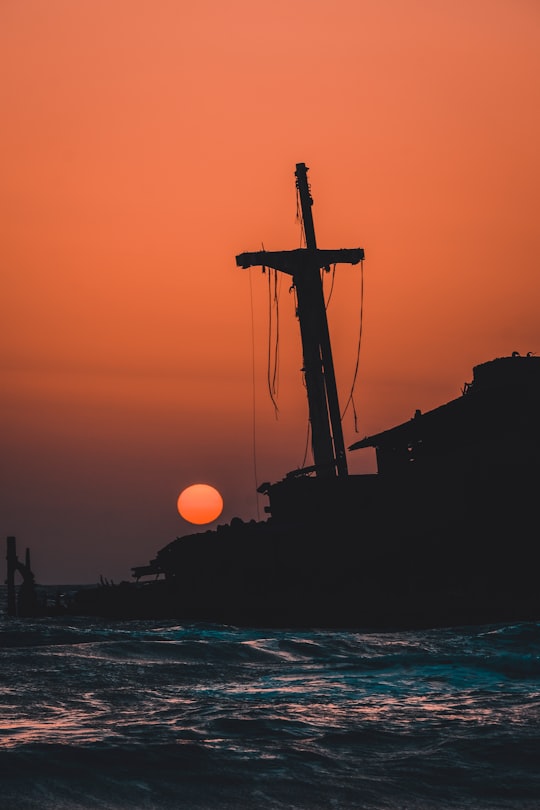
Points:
[(304, 265)]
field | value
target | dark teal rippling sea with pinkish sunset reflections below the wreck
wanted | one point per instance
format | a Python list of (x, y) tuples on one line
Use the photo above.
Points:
[(162, 715)]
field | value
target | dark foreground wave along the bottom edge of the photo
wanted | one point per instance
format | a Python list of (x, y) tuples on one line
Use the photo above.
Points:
[(369, 770)]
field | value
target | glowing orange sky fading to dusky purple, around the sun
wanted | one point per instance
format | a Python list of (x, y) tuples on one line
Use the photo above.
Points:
[(145, 144)]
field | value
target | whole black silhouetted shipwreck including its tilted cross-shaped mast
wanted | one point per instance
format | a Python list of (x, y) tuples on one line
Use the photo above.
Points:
[(445, 533)]
